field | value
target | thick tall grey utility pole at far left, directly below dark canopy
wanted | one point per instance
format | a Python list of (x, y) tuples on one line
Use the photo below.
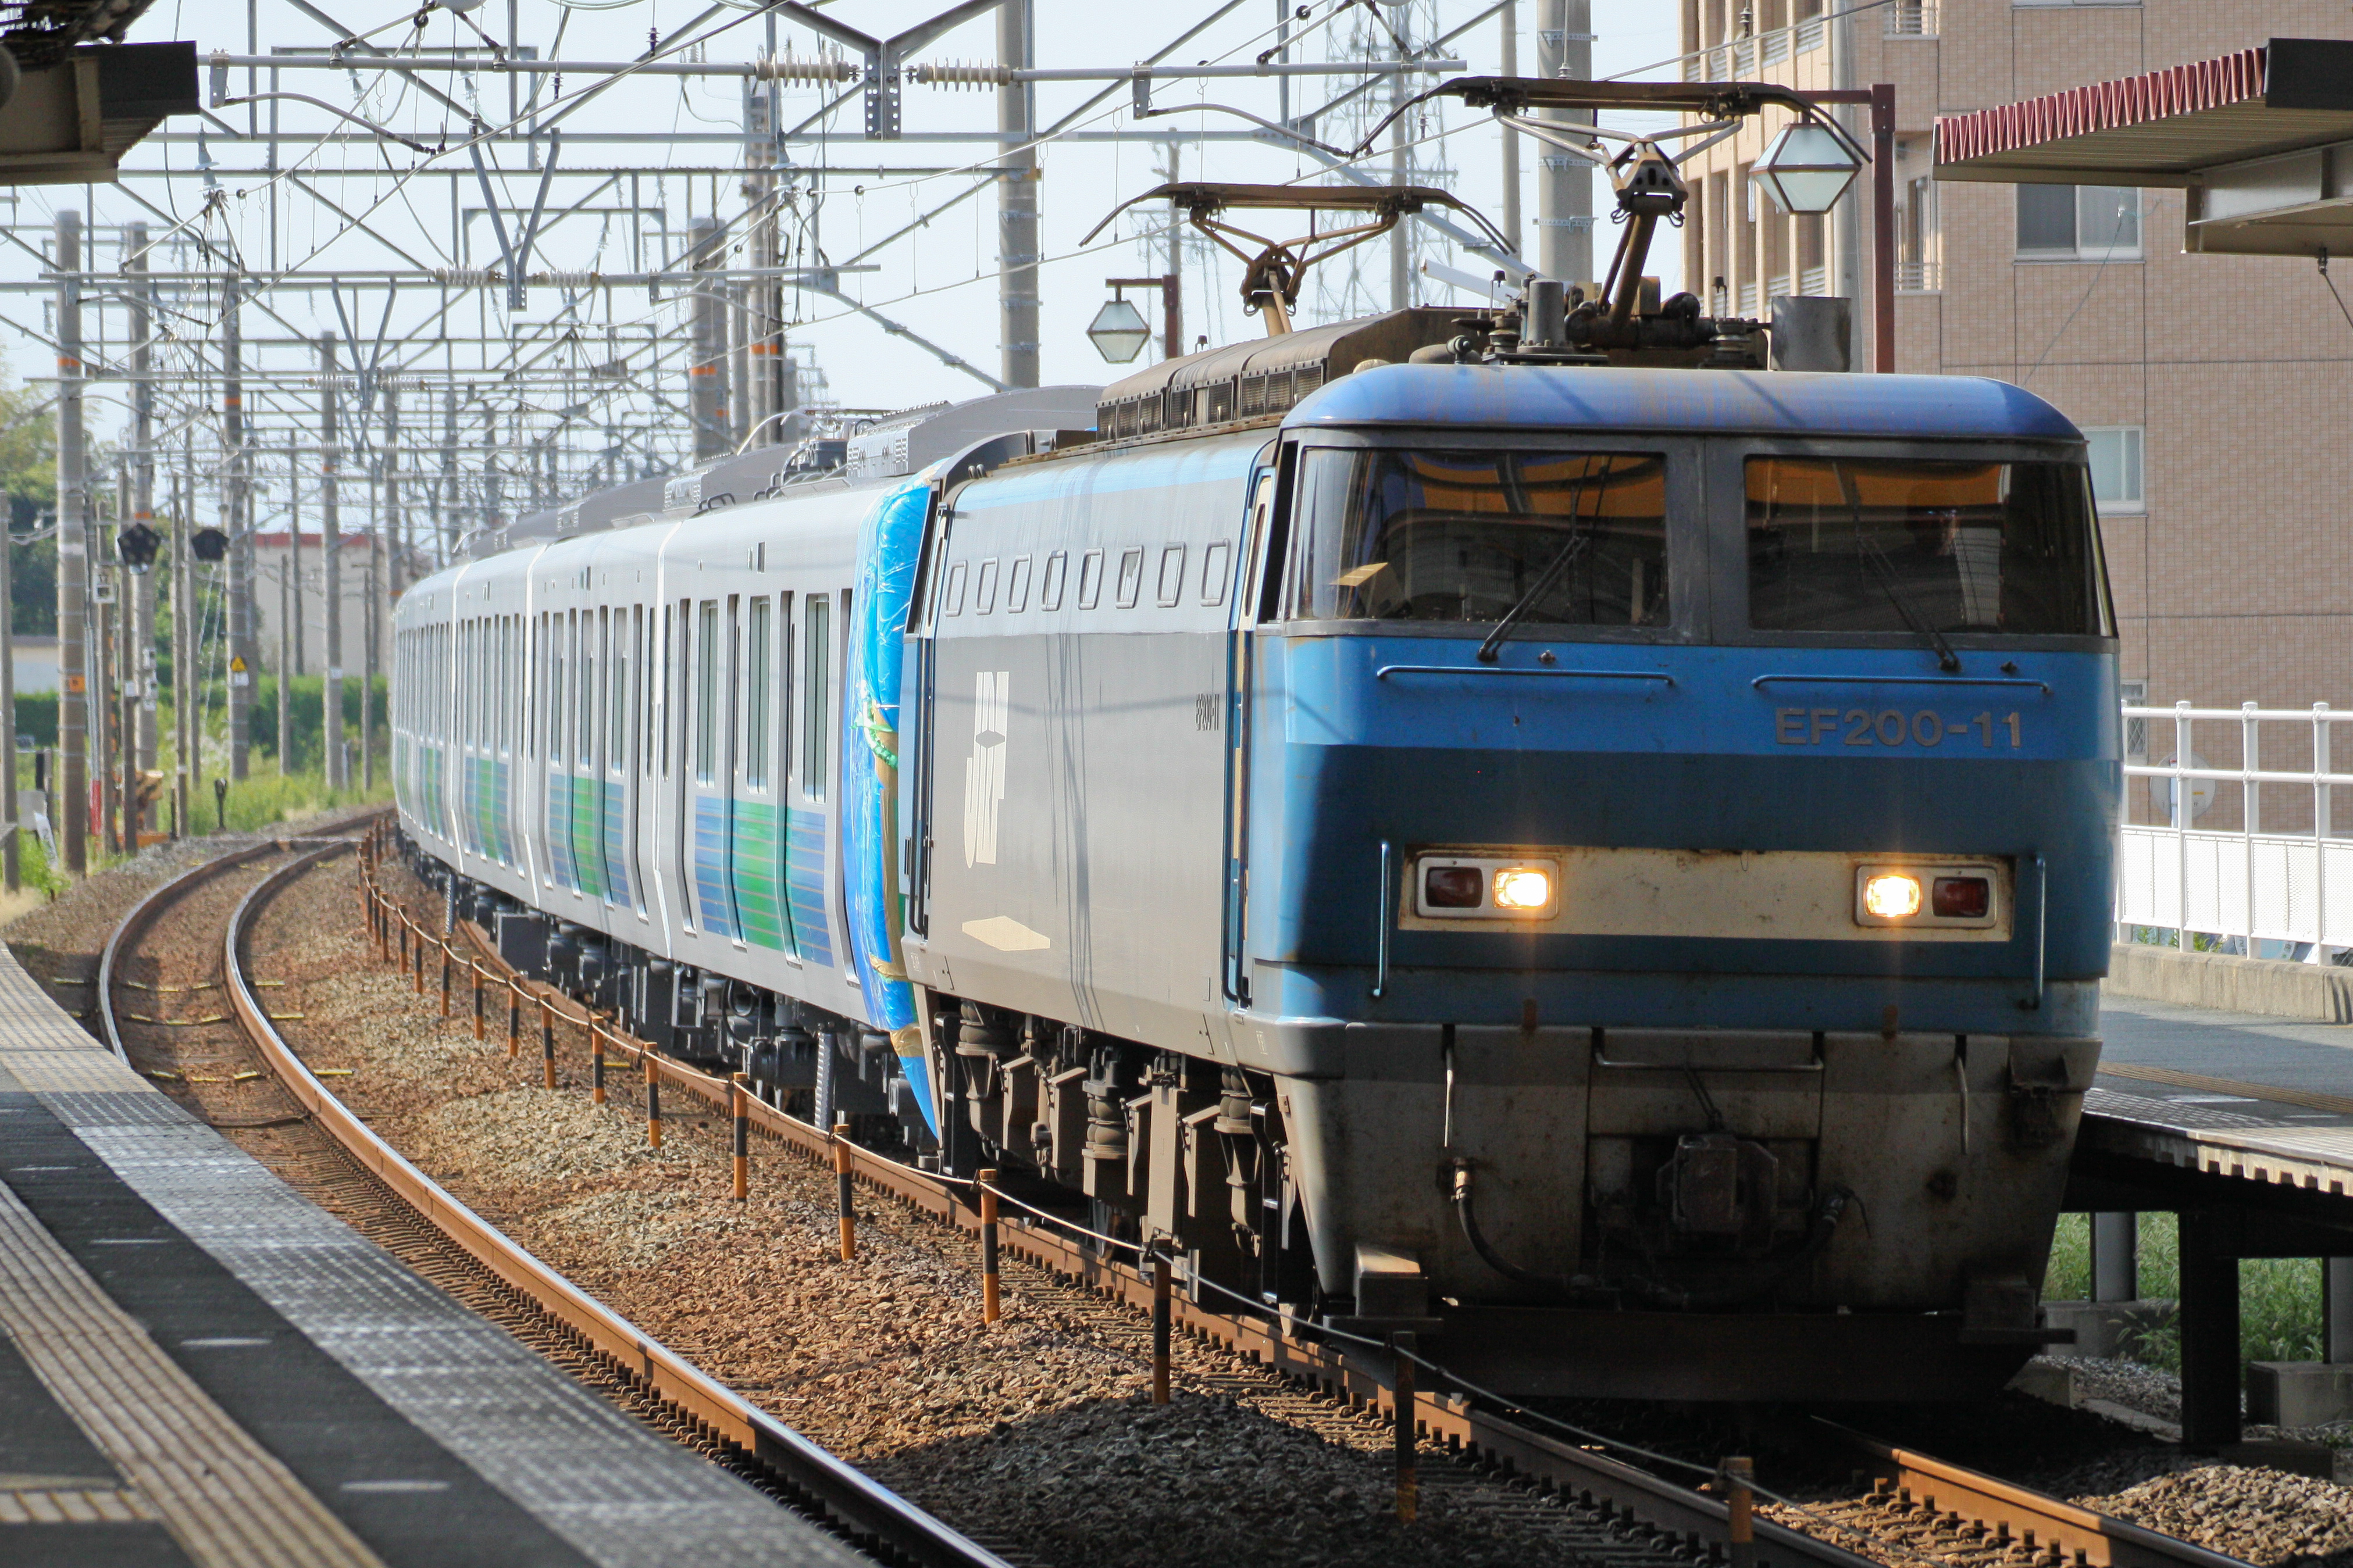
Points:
[(72, 554)]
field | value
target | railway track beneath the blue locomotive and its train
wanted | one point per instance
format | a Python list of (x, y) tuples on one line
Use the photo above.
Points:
[(1917, 1510)]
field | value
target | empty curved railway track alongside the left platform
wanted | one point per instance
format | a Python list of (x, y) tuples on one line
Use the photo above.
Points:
[(180, 1003)]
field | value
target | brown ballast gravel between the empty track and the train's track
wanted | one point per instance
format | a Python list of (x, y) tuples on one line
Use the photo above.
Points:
[(1032, 1435)]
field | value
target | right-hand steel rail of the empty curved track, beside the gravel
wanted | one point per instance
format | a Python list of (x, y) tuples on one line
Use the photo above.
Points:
[(858, 1503)]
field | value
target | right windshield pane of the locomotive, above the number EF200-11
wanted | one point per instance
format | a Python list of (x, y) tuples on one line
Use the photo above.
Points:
[(1921, 547)]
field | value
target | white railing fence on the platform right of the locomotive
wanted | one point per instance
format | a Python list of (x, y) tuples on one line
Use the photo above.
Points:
[(2288, 885)]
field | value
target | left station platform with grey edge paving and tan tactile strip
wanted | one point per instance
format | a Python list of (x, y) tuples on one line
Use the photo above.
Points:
[(204, 1367)]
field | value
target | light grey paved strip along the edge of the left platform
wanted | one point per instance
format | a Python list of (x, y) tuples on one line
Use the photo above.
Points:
[(622, 1496)]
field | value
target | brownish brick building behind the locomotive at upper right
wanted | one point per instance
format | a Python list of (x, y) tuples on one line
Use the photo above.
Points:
[(2215, 389)]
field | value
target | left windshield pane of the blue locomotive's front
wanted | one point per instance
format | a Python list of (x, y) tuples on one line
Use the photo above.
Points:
[(1467, 535)]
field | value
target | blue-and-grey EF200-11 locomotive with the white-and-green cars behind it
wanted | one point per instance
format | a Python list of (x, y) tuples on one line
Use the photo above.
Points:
[(1587, 864)]
